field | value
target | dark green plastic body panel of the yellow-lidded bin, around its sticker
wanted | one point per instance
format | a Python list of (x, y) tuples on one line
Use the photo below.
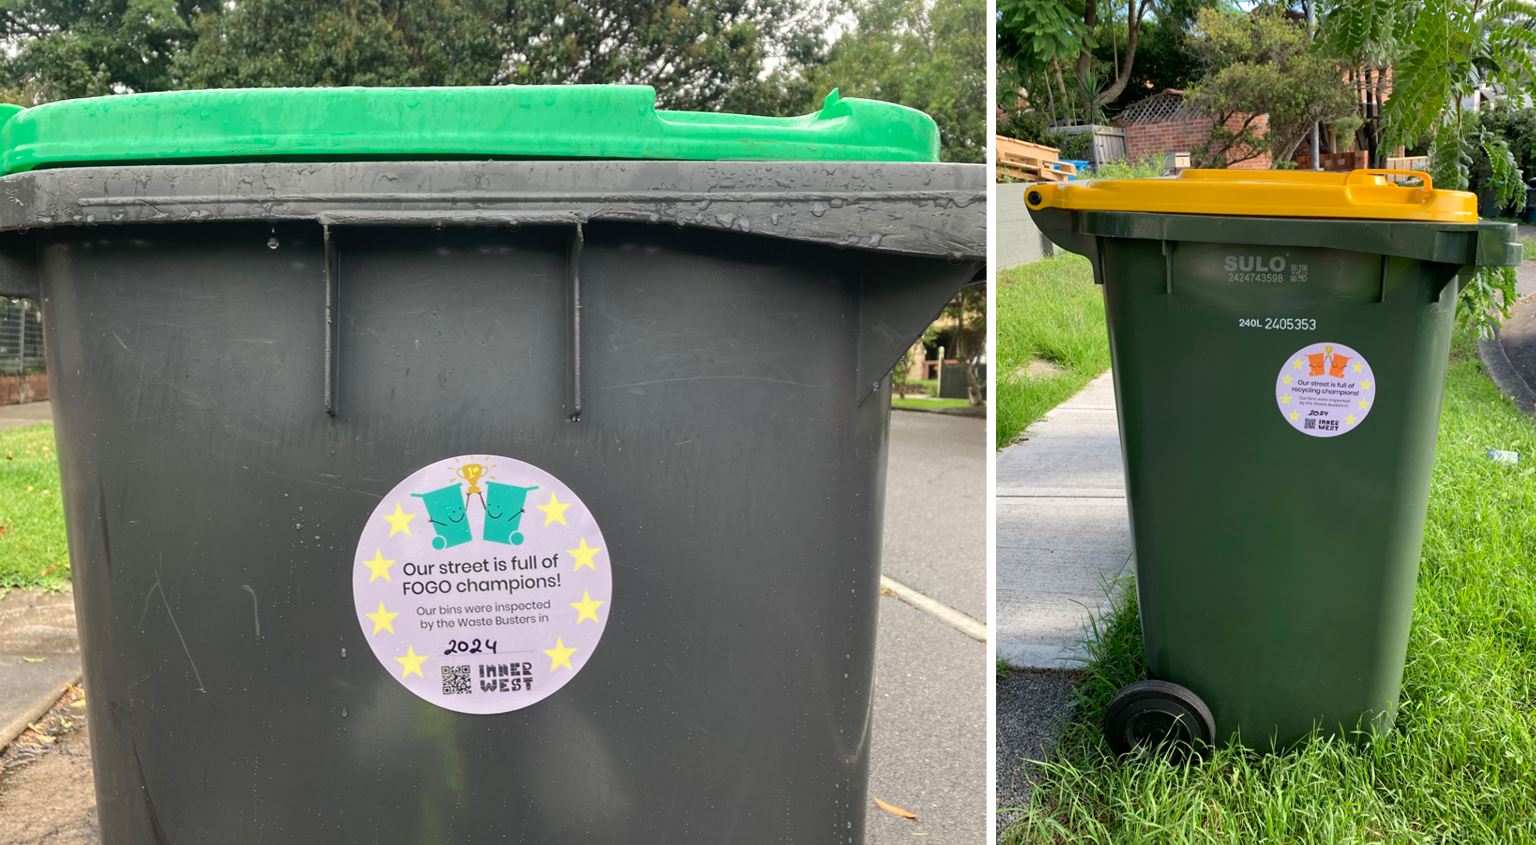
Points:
[(1276, 571)]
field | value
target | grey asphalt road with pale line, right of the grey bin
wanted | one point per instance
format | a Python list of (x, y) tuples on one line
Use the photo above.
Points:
[(930, 712)]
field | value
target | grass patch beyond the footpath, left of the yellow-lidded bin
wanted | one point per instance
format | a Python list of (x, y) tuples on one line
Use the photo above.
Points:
[(1048, 313)]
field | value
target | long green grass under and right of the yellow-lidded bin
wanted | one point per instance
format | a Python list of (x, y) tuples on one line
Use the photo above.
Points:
[(1462, 764)]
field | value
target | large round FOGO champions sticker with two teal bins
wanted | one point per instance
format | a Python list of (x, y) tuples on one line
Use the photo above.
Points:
[(483, 585)]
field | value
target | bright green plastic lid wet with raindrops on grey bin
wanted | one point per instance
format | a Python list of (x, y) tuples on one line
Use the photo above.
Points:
[(428, 124)]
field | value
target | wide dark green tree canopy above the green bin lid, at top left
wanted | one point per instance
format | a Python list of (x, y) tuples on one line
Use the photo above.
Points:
[(700, 55)]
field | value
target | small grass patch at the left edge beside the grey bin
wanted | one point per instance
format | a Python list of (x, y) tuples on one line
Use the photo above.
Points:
[(33, 549)]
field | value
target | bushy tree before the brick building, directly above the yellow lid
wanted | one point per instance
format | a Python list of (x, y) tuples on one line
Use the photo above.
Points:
[(1263, 65)]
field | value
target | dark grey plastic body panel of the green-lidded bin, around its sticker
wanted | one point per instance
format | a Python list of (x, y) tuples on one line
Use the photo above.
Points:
[(214, 508)]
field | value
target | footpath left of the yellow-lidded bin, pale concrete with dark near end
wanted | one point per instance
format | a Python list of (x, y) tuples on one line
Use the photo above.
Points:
[(1064, 542)]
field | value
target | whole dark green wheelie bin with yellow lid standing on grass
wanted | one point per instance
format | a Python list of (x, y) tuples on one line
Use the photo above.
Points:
[(1280, 345)]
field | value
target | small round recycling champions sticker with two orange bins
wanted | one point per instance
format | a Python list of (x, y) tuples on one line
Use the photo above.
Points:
[(1326, 389)]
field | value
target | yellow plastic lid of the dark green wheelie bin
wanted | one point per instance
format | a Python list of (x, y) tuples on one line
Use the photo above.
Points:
[(1356, 196)]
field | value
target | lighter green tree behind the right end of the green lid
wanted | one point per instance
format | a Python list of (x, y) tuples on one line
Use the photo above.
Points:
[(930, 58)]
